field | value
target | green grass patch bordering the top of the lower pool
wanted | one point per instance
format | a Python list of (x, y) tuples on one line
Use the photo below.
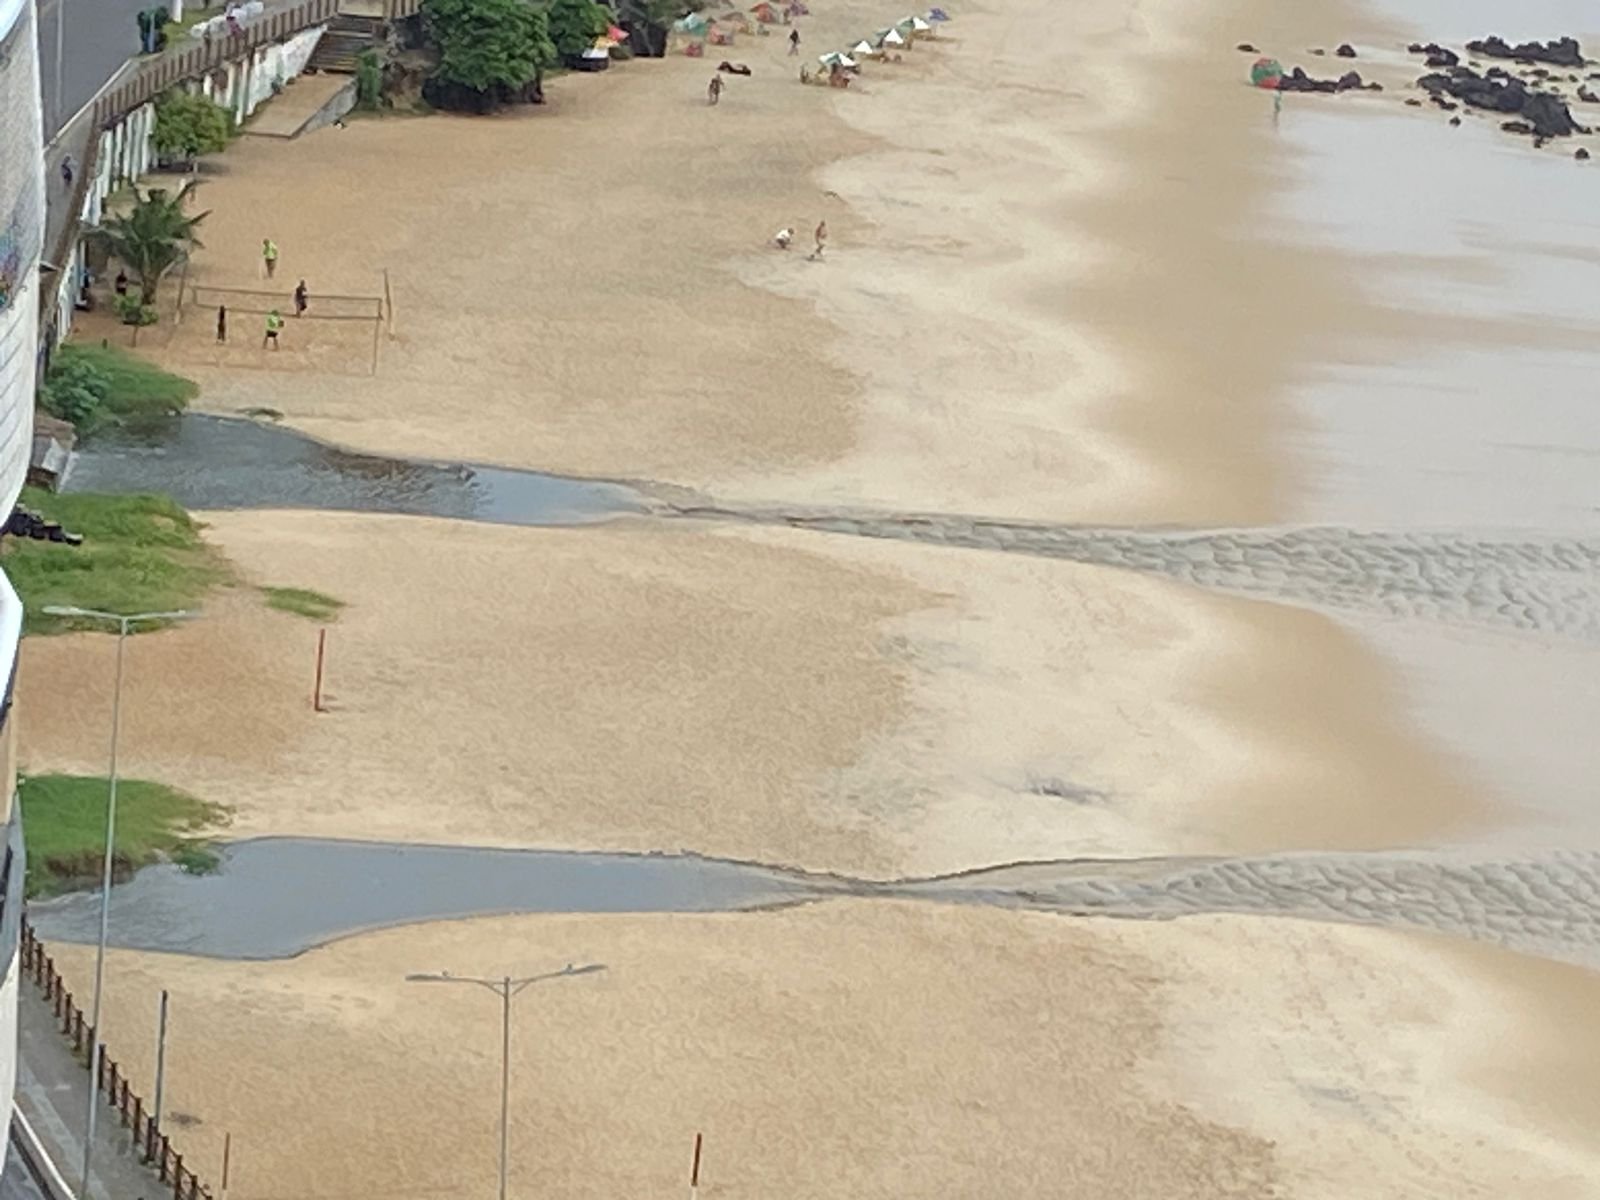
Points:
[(65, 830)]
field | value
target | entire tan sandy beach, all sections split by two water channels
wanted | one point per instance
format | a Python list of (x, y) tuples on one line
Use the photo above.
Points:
[(1076, 276)]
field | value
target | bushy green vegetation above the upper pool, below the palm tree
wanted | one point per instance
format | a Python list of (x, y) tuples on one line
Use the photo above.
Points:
[(95, 386)]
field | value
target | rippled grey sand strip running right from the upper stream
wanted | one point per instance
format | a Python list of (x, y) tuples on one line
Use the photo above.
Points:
[(1522, 583)]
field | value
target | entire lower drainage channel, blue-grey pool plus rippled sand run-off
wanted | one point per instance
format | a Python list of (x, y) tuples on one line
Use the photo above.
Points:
[(279, 897)]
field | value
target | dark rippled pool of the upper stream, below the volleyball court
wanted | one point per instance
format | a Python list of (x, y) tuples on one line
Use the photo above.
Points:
[(236, 463)]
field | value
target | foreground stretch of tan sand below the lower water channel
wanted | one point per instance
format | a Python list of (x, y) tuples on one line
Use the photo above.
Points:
[(882, 1050)]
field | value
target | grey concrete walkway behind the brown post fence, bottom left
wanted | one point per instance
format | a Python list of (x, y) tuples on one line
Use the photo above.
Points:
[(52, 1089)]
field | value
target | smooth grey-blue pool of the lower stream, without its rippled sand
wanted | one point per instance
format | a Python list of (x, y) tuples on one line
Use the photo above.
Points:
[(279, 897)]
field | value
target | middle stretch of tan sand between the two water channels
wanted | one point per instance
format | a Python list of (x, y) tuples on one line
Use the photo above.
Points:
[(879, 710)]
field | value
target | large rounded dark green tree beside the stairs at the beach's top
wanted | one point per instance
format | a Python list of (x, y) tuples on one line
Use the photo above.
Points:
[(489, 47)]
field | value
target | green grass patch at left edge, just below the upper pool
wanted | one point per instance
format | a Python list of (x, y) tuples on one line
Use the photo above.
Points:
[(140, 554)]
